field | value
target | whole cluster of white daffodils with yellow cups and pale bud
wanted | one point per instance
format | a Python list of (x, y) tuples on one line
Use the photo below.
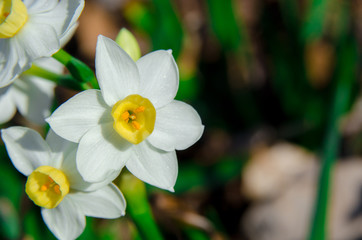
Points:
[(132, 121)]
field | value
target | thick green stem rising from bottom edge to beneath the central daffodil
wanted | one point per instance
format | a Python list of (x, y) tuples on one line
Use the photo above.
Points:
[(138, 207)]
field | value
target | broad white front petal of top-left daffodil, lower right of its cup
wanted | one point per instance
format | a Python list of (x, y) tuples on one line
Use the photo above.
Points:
[(44, 40)]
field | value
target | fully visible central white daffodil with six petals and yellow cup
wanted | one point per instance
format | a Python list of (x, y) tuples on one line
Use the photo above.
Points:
[(132, 121)]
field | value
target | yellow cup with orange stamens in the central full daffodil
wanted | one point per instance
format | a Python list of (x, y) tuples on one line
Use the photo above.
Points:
[(134, 118)]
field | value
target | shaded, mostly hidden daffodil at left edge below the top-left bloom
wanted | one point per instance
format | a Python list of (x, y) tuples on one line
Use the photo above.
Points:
[(31, 95)]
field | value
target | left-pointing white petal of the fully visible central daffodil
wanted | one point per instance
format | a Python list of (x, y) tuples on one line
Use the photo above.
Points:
[(79, 114)]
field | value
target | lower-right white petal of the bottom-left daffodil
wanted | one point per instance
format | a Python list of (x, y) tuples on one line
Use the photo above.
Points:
[(106, 202)]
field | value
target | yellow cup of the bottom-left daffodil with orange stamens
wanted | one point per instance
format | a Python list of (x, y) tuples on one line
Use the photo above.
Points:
[(47, 186)]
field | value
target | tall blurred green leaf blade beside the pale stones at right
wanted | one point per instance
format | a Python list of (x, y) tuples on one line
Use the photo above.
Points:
[(345, 78)]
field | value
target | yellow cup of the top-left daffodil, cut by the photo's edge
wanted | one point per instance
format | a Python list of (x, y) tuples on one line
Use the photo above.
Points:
[(13, 16)]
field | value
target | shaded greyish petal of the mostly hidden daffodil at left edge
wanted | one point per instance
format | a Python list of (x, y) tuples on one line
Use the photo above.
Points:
[(33, 97)]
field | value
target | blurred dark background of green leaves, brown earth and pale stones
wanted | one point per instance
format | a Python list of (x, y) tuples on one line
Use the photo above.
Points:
[(277, 86)]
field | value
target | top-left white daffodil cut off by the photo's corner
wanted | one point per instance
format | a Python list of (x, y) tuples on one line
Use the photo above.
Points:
[(32, 29)]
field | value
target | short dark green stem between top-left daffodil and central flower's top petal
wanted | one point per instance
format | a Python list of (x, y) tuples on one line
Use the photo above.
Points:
[(78, 69)]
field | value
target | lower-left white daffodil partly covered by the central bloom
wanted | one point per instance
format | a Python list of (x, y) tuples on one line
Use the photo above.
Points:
[(54, 184)]
